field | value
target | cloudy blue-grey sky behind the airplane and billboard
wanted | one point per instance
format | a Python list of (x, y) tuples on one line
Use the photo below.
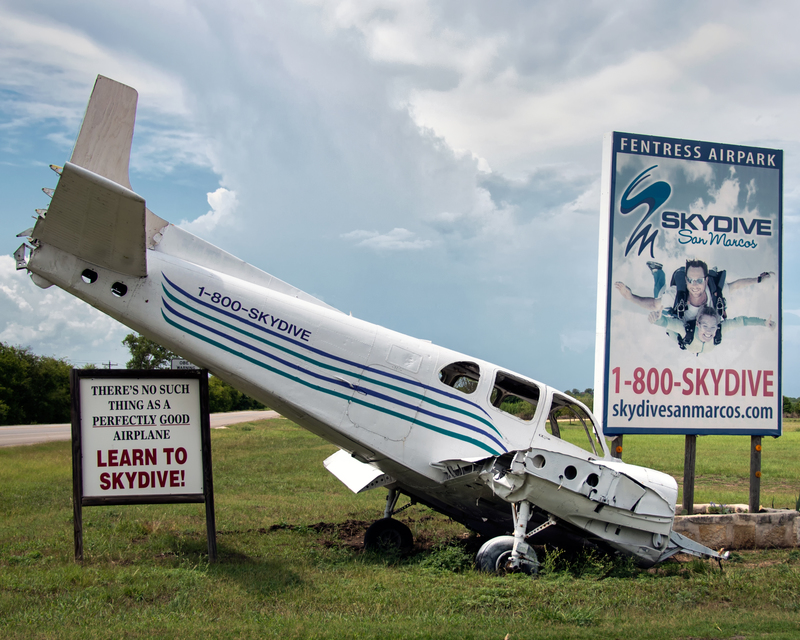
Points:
[(433, 167)]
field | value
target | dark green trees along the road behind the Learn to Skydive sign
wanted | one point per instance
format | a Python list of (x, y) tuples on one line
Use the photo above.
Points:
[(35, 389)]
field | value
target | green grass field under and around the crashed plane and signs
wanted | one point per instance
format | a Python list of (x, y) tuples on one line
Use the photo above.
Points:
[(291, 566)]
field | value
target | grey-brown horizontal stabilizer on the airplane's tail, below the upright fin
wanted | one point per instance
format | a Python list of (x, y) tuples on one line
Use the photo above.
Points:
[(97, 220)]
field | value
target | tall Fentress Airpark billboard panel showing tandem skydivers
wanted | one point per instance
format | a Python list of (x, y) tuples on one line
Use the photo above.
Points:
[(689, 287)]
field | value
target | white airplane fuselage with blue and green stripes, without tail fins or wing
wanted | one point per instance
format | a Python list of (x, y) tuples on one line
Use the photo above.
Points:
[(373, 392)]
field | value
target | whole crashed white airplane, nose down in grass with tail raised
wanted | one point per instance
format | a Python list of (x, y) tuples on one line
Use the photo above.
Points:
[(503, 454)]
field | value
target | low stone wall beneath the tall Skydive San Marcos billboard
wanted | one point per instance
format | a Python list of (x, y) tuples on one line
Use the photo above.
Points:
[(778, 528)]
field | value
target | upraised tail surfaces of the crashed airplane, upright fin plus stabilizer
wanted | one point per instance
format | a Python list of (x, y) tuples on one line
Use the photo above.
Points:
[(94, 214)]
